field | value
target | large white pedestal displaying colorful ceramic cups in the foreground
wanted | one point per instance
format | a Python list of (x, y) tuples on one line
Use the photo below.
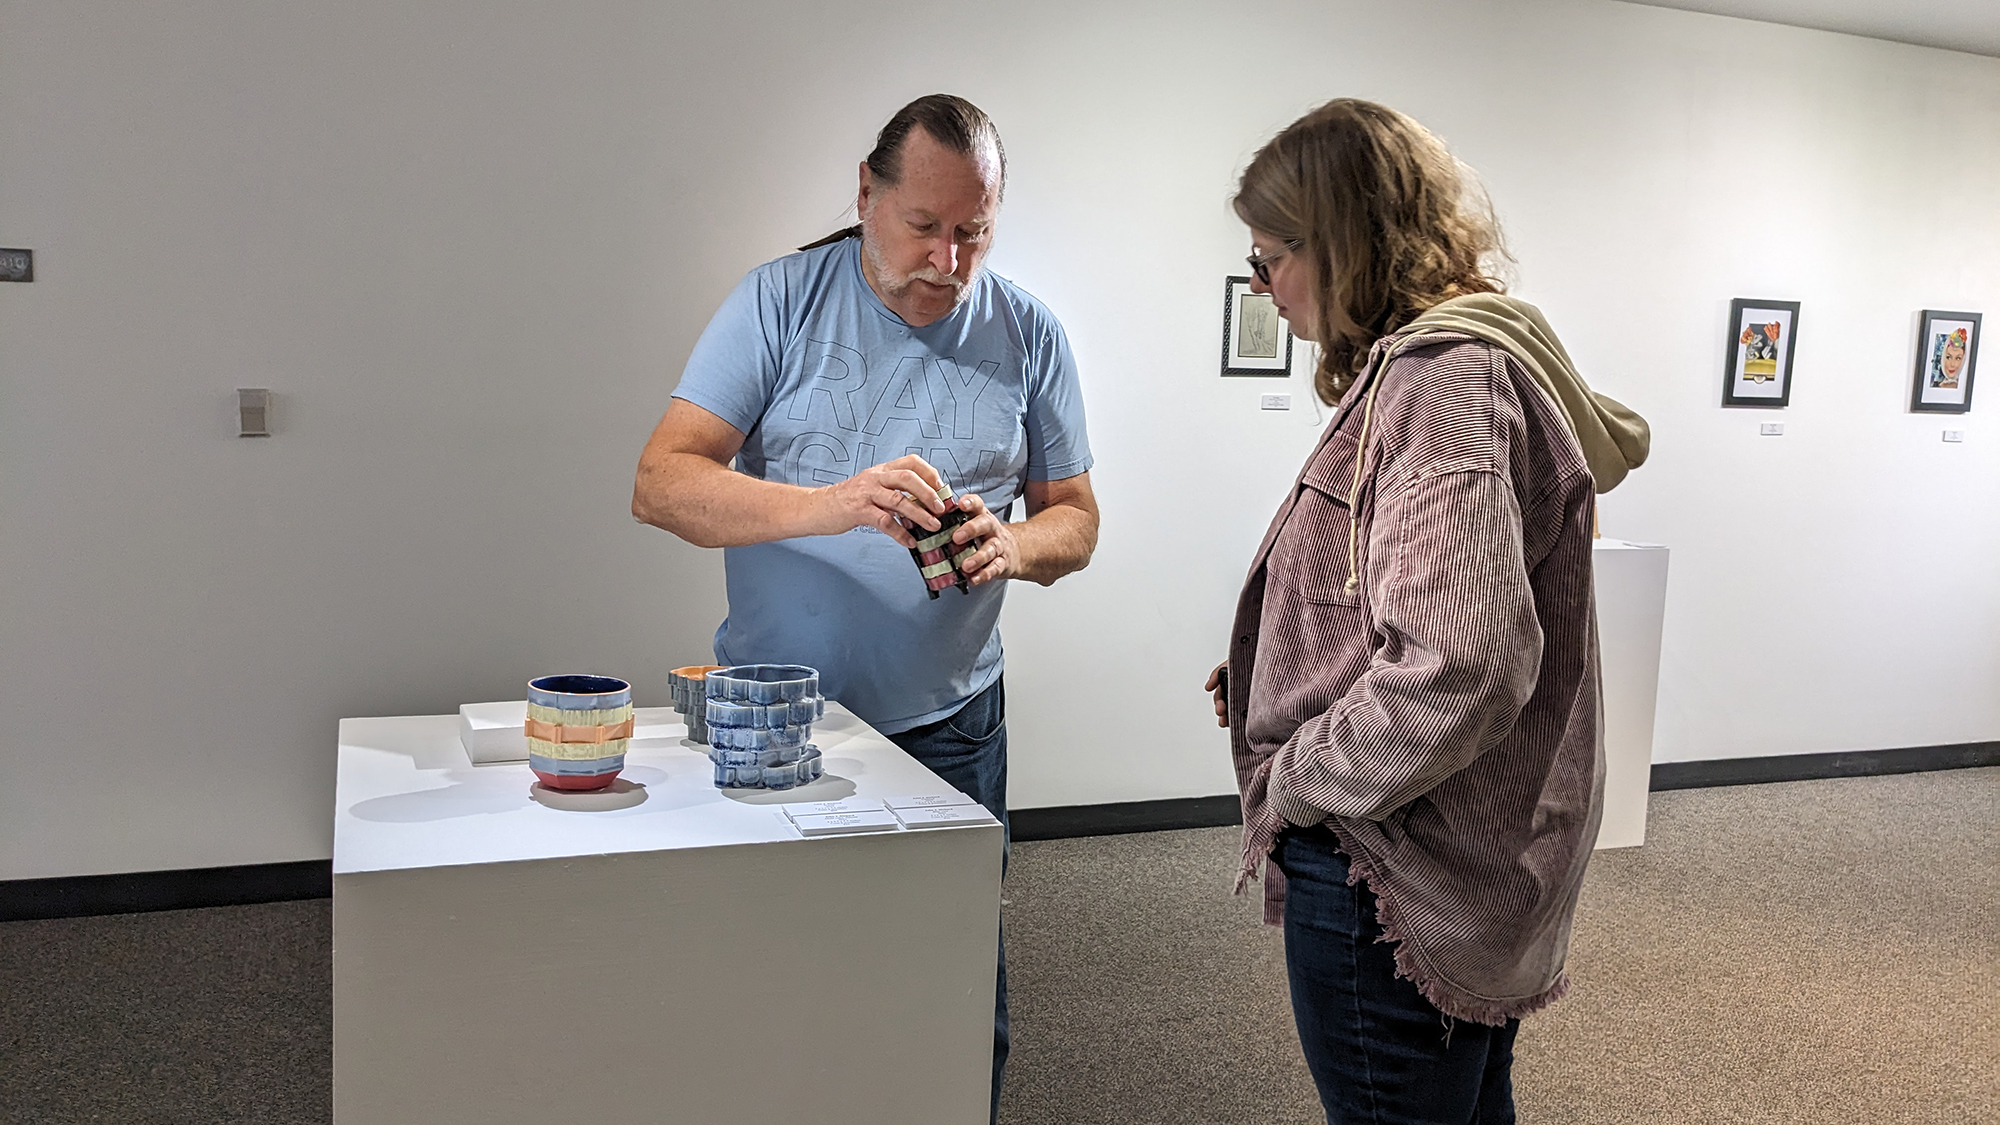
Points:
[(663, 952)]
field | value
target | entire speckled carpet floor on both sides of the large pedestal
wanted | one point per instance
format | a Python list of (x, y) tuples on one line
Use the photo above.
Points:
[(1805, 954)]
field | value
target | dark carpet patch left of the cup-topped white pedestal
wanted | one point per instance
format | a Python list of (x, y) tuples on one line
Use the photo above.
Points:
[(179, 1018)]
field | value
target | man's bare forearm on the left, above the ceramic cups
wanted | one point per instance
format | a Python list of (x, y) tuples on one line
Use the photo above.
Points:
[(713, 505)]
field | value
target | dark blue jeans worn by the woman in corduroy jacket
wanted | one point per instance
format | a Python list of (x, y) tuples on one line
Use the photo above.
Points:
[(1379, 1052)]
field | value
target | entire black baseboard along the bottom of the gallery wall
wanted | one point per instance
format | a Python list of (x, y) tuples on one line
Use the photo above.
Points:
[(85, 896)]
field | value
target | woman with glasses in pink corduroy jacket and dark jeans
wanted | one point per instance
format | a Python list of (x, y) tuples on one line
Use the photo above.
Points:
[(1413, 678)]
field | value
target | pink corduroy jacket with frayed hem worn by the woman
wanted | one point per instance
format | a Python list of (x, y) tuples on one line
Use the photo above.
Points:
[(1415, 664)]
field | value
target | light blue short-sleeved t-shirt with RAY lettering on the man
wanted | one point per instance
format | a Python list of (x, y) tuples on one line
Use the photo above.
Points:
[(825, 381)]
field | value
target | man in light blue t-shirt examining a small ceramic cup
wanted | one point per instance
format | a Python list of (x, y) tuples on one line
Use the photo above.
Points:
[(849, 383)]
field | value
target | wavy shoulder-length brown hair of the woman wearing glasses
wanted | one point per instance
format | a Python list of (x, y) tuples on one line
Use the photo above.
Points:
[(1389, 221)]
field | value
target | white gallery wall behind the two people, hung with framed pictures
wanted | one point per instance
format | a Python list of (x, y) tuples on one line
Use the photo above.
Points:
[(471, 245)]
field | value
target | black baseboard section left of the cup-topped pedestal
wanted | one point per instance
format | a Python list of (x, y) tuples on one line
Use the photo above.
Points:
[(85, 896)]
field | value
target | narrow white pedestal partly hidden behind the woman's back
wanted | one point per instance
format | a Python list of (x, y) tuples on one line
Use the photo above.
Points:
[(1631, 608)]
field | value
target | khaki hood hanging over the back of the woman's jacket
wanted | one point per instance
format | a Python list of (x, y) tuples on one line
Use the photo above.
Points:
[(1613, 435)]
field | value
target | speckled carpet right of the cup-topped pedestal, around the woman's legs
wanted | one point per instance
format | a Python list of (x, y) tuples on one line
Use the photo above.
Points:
[(1779, 954)]
